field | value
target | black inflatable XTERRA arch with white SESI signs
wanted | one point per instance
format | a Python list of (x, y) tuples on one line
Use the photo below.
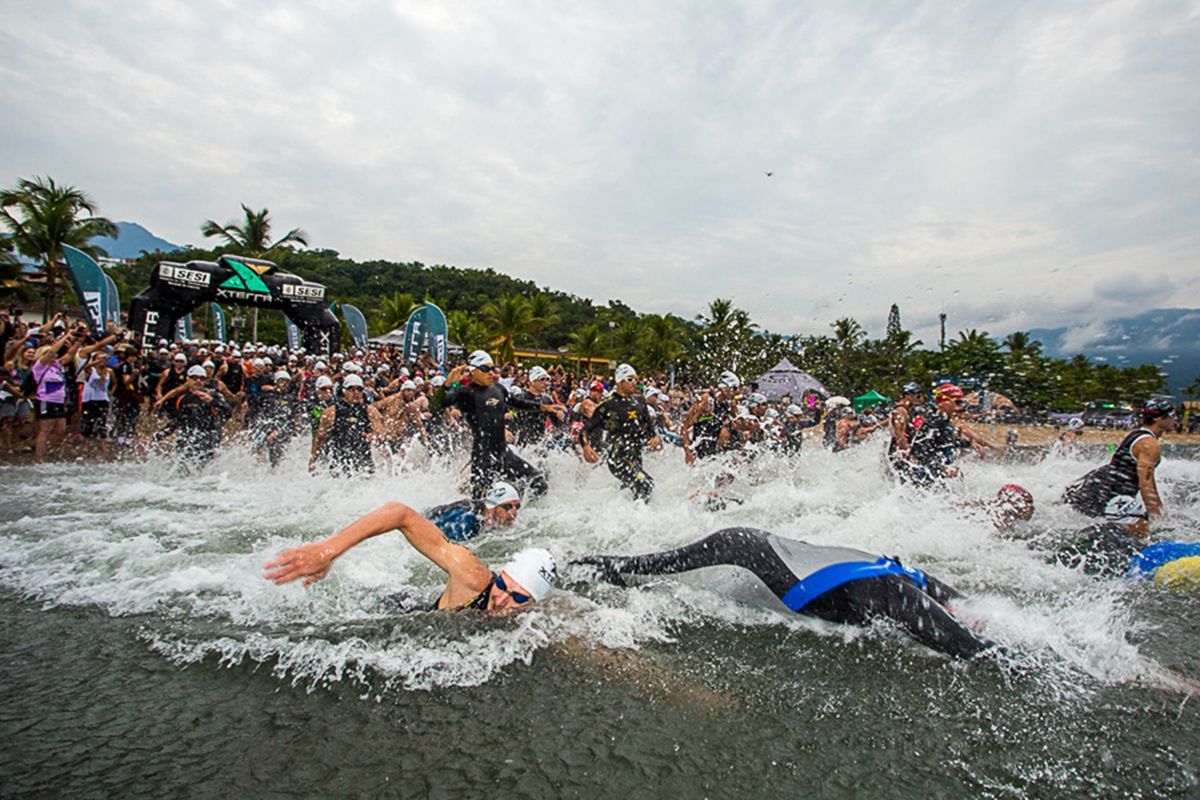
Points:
[(178, 290)]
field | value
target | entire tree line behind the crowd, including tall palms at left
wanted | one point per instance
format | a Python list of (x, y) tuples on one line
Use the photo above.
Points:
[(490, 310)]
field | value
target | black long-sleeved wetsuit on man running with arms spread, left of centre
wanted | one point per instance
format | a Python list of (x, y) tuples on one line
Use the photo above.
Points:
[(484, 408)]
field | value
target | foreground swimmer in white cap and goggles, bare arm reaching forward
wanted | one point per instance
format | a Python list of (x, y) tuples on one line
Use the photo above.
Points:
[(527, 578)]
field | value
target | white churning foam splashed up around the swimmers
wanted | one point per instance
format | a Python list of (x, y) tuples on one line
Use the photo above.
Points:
[(187, 554)]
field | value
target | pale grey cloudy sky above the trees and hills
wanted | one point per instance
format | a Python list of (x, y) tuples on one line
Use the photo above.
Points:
[(1016, 165)]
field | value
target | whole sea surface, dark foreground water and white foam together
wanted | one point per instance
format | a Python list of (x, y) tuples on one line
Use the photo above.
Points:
[(143, 654)]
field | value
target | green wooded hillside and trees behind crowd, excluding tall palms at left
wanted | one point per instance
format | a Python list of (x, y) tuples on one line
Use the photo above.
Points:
[(487, 310)]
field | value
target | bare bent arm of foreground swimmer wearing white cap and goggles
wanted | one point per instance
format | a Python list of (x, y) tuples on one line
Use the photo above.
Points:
[(467, 573)]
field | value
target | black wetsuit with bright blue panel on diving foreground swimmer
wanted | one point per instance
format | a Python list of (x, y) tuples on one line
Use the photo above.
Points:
[(837, 585)]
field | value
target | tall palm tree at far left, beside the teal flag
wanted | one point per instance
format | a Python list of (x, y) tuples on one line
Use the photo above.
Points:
[(43, 218)]
